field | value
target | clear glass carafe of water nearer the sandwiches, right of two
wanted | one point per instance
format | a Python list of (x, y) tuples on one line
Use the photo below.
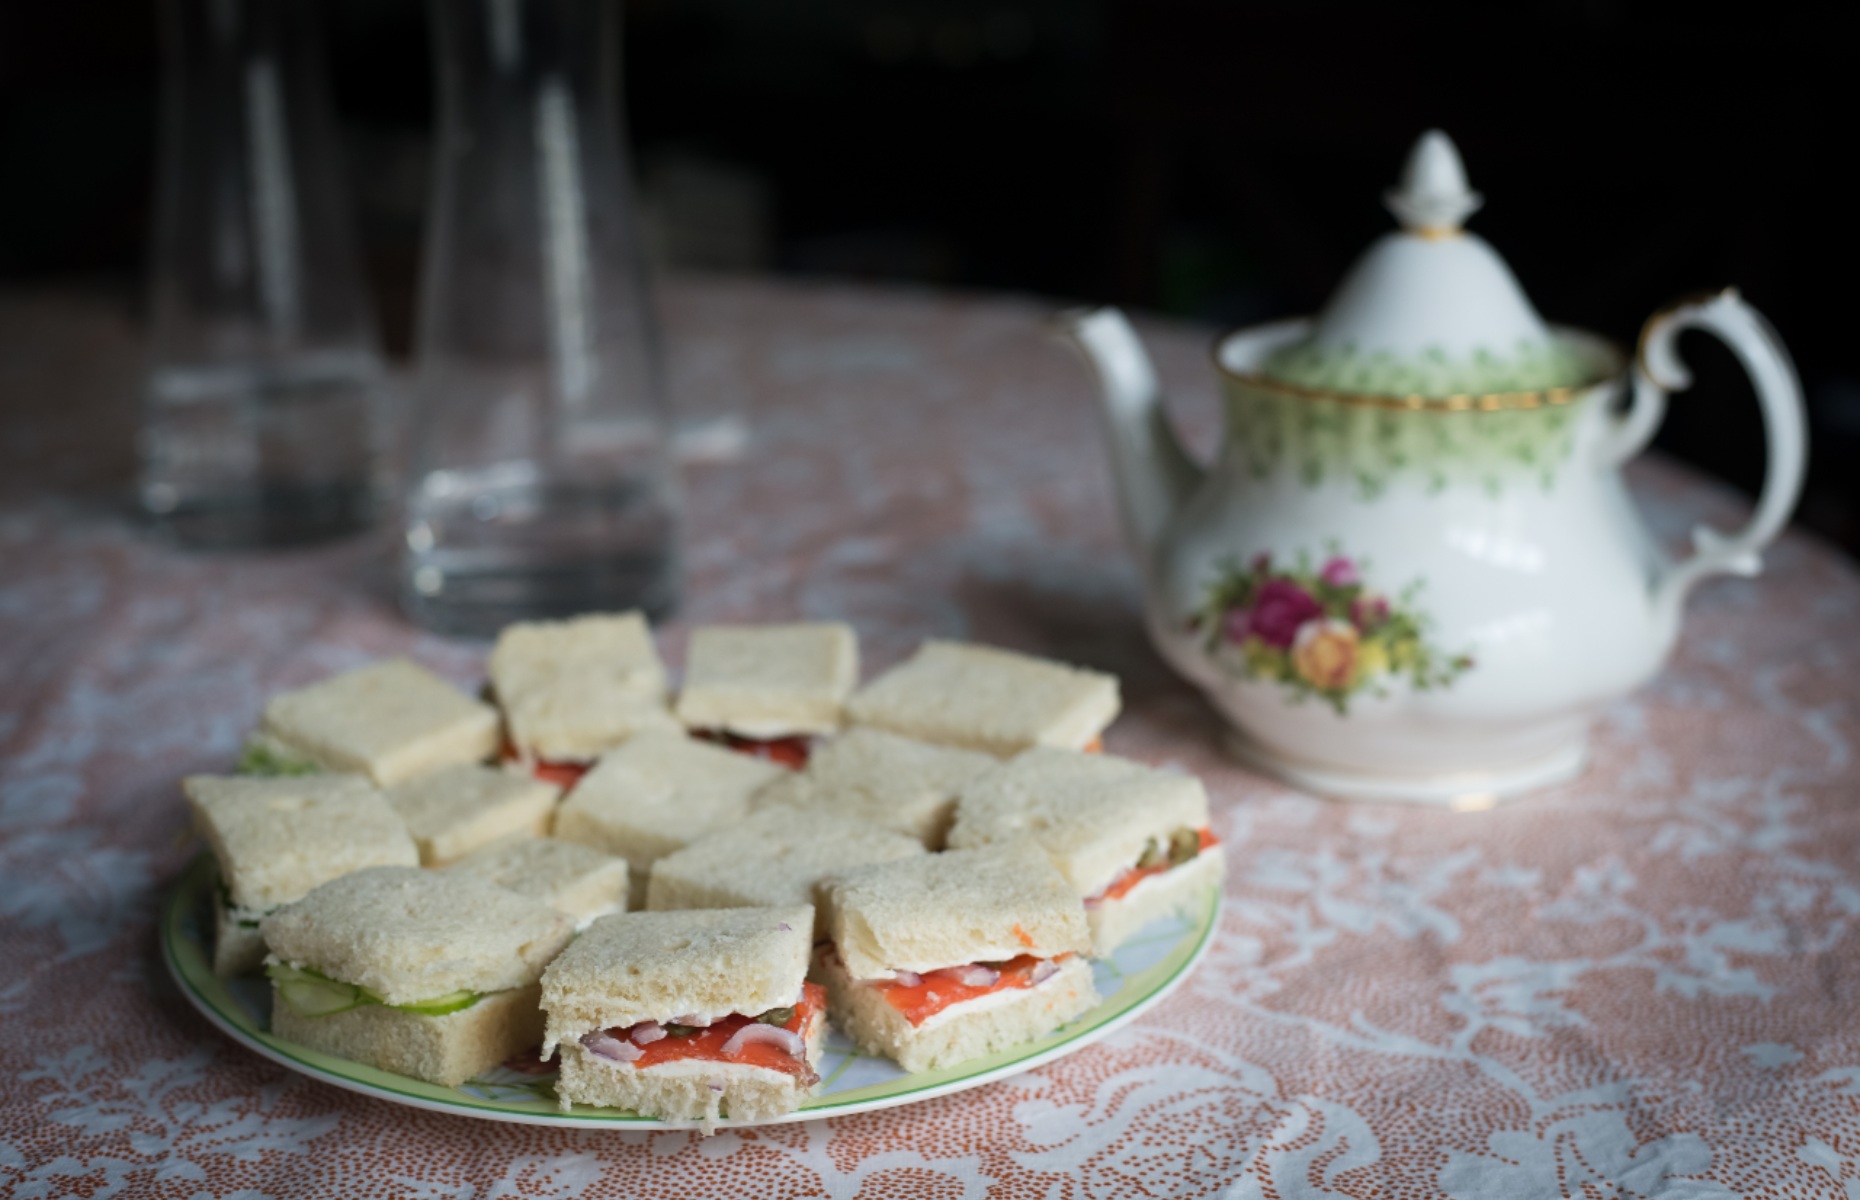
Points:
[(538, 470)]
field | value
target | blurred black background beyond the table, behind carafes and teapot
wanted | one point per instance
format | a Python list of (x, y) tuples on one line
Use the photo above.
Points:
[(1202, 159)]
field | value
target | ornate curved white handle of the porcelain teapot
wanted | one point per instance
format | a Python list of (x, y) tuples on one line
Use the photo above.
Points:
[(1660, 371)]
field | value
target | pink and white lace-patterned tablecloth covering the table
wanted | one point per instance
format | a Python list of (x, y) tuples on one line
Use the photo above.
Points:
[(1641, 985)]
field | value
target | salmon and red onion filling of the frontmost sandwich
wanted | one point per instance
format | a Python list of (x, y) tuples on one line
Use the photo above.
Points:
[(775, 1041)]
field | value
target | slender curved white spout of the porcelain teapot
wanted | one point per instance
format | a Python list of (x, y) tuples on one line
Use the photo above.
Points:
[(1154, 472)]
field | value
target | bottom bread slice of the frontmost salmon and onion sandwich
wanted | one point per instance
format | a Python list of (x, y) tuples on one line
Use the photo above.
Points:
[(687, 1091)]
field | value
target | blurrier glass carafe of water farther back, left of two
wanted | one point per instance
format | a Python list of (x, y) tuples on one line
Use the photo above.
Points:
[(265, 408)]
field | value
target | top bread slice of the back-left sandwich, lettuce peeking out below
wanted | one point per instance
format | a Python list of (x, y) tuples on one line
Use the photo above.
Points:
[(390, 721)]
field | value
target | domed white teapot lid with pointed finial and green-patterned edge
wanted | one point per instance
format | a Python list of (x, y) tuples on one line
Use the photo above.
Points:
[(1431, 310)]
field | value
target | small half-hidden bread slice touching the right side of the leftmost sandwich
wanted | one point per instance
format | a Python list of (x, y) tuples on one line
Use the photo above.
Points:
[(458, 810)]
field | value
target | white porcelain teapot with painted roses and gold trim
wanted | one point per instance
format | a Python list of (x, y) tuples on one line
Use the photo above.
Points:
[(1413, 570)]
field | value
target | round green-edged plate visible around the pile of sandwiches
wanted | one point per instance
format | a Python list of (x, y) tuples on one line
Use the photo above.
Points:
[(1136, 980)]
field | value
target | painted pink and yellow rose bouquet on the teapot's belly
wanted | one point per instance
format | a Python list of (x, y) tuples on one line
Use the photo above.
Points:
[(1322, 633)]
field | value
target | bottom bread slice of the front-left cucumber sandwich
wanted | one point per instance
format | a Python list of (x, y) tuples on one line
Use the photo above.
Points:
[(445, 1050)]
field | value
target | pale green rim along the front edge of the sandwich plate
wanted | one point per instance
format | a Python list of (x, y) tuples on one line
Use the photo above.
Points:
[(193, 968)]
